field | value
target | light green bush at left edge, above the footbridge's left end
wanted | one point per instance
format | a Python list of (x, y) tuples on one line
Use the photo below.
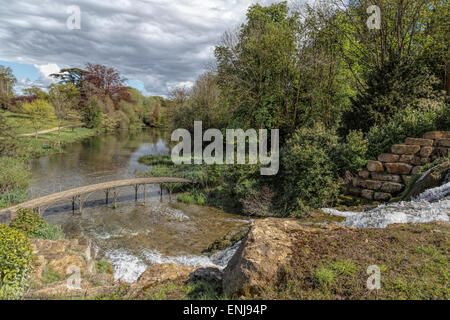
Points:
[(14, 174)]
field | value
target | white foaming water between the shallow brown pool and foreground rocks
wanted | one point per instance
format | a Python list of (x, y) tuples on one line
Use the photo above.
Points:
[(128, 267)]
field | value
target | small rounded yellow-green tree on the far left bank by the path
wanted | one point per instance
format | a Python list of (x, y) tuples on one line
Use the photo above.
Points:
[(64, 98)]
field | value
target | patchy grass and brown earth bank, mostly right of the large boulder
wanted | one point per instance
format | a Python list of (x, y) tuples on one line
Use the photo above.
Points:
[(413, 261)]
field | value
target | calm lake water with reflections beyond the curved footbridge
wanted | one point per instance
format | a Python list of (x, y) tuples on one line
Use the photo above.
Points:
[(94, 160)]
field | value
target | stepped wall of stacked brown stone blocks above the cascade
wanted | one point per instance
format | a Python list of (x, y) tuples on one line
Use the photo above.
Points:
[(387, 177)]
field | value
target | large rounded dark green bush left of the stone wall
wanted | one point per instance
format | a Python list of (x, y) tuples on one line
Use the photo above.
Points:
[(308, 172)]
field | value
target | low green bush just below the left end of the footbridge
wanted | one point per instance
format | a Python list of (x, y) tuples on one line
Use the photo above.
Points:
[(34, 226)]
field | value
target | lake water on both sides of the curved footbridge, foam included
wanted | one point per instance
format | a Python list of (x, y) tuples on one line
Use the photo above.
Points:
[(133, 236)]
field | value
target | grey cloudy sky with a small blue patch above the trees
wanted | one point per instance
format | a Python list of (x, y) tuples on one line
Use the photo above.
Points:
[(156, 44)]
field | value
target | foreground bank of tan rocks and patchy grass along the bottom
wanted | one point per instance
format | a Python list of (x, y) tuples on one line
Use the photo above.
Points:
[(283, 259)]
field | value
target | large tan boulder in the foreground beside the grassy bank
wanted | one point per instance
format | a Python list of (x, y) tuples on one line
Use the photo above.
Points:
[(262, 254)]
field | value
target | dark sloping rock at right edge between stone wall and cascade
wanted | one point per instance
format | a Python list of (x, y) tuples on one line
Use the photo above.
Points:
[(435, 177)]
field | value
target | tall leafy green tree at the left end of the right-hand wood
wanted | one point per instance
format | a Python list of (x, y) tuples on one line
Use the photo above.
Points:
[(257, 69)]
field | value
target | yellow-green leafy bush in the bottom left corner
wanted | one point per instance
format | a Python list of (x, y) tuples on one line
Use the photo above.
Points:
[(15, 262)]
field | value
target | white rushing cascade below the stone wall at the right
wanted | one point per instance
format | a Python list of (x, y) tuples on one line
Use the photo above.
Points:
[(431, 205)]
